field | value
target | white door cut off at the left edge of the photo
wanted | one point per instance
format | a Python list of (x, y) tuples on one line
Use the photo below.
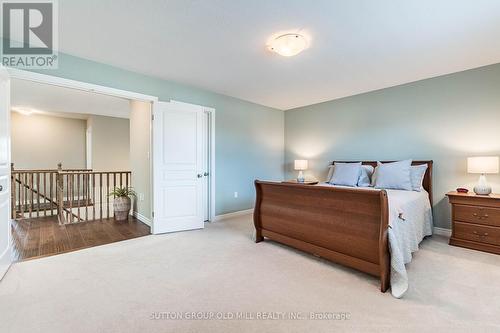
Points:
[(5, 246)]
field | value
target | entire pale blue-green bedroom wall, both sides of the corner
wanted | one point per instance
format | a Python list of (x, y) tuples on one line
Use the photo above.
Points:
[(445, 119)]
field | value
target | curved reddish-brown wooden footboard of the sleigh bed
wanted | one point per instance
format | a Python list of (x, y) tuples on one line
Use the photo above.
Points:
[(346, 226)]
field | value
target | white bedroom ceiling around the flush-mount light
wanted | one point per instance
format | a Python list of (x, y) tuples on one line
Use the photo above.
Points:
[(219, 45)]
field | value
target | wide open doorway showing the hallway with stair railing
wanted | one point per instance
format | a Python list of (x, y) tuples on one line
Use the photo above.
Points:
[(70, 150)]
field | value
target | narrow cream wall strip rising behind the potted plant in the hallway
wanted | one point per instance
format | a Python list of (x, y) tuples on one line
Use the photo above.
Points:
[(140, 133)]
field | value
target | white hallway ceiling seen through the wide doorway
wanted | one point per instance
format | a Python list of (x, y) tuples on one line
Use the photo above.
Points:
[(59, 101)]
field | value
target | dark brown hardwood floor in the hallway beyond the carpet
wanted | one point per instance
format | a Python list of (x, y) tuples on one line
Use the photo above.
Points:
[(40, 237)]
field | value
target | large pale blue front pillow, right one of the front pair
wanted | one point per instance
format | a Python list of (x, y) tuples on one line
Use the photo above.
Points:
[(394, 175)]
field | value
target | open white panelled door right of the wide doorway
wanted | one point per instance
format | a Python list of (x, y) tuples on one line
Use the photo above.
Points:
[(178, 167)]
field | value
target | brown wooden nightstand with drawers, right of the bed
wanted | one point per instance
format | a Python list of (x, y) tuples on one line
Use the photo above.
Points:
[(475, 221)]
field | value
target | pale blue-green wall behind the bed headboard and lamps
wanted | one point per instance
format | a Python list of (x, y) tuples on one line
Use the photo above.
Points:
[(444, 119)]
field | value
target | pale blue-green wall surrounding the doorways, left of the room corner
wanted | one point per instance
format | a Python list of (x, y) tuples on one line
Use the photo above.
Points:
[(249, 137)]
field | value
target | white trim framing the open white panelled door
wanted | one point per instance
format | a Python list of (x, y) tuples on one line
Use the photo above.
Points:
[(210, 154)]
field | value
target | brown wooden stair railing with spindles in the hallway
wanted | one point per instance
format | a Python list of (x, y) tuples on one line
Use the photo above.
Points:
[(76, 195)]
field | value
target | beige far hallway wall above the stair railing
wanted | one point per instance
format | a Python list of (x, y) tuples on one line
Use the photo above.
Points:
[(41, 142)]
